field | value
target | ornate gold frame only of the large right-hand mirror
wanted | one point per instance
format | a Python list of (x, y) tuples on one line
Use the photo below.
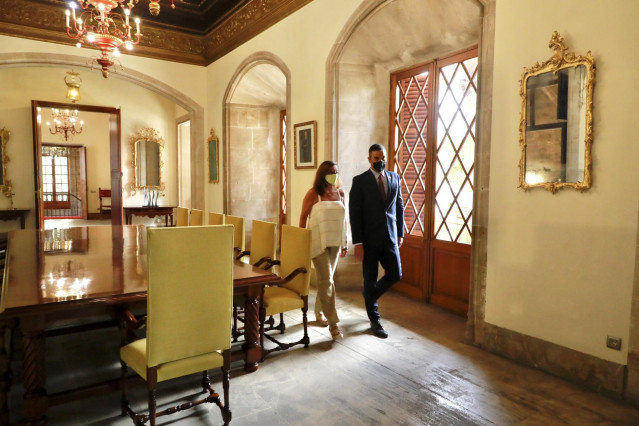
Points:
[(559, 60)]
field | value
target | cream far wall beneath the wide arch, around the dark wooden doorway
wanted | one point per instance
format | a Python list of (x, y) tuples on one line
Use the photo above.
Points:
[(139, 108)]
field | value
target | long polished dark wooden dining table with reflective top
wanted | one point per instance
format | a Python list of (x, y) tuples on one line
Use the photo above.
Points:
[(72, 280)]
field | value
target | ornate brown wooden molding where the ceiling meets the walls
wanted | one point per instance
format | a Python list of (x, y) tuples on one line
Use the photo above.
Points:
[(45, 22)]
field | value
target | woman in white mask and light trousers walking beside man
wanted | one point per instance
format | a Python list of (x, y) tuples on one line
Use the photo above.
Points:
[(323, 212)]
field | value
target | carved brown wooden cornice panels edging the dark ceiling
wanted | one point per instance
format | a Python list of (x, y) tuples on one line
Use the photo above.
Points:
[(195, 31)]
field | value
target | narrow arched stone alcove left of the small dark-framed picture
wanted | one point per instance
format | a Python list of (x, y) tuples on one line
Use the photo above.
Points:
[(256, 105)]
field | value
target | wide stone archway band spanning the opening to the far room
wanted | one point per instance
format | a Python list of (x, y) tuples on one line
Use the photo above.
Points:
[(194, 110)]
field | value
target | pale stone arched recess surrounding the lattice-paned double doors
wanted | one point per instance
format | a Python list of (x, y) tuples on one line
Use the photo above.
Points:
[(358, 71)]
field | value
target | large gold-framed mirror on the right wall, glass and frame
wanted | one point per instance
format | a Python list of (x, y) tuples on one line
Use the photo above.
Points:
[(555, 131)]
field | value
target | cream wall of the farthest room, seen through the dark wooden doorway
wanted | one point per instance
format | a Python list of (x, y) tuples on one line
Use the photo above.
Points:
[(95, 139)]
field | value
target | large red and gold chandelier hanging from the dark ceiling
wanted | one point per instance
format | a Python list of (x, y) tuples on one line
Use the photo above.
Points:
[(98, 25)]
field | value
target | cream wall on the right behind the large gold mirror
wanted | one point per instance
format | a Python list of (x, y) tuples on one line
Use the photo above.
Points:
[(560, 267)]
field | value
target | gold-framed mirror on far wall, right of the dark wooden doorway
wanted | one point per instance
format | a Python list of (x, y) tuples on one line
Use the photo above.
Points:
[(146, 161)]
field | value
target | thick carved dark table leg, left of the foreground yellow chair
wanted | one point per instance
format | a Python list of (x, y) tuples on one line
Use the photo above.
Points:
[(34, 370)]
